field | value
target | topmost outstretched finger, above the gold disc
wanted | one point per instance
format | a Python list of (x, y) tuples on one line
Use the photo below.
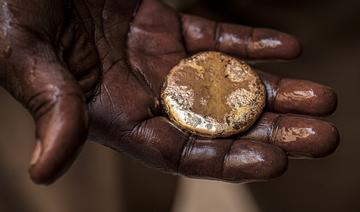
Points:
[(248, 43)]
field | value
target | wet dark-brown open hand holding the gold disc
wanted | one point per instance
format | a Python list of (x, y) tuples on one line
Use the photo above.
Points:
[(66, 61)]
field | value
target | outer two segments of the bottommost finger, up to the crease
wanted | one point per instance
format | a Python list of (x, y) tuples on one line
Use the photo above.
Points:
[(237, 161)]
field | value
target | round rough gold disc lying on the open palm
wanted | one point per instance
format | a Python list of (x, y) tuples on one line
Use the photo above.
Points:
[(213, 95)]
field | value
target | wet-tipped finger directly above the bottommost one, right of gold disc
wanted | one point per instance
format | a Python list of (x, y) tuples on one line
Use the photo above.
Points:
[(299, 136)]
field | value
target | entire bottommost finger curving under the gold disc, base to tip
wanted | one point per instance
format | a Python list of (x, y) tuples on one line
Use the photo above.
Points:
[(158, 143)]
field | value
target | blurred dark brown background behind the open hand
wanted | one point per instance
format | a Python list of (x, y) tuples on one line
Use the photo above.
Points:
[(103, 180)]
